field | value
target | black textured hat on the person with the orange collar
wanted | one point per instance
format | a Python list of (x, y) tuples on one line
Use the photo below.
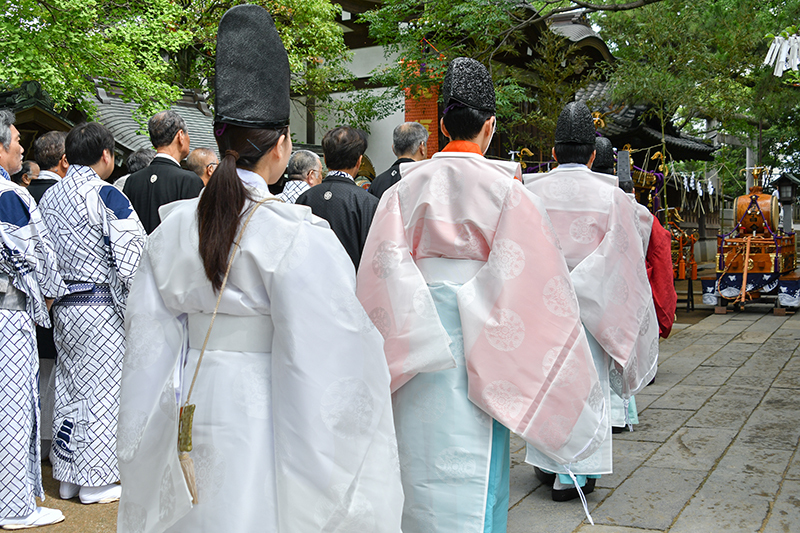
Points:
[(468, 83)]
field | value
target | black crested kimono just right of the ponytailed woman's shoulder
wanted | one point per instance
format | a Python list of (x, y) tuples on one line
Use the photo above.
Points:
[(347, 207)]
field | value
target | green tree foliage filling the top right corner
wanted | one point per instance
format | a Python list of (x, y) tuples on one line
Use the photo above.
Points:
[(702, 59)]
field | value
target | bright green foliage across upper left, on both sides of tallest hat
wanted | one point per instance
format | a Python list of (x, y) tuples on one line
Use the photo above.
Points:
[(152, 49)]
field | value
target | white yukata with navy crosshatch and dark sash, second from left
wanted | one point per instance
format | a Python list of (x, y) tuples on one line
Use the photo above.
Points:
[(98, 239)]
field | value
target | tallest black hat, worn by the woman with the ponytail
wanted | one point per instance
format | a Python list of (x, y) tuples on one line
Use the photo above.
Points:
[(252, 72)]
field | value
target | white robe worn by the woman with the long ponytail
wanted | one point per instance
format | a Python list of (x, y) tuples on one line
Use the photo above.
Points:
[(293, 429)]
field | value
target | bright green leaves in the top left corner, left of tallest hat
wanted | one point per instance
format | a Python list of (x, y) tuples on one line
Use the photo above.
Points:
[(63, 44)]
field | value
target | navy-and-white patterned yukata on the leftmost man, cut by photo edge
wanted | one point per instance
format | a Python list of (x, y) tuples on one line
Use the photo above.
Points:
[(28, 274)]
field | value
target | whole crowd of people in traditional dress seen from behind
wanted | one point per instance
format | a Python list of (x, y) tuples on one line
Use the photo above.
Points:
[(328, 358)]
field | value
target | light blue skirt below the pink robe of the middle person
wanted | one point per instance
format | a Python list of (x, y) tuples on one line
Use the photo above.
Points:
[(454, 458)]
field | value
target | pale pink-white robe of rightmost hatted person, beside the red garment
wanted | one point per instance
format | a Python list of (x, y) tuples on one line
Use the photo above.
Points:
[(602, 236)]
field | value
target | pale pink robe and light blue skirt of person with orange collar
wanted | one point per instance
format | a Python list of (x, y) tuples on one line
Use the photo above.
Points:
[(462, 220)]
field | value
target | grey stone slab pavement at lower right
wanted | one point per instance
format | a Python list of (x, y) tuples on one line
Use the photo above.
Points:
[(716, 447)]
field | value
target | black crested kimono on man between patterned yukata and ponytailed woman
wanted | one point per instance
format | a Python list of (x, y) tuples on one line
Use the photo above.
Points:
[(162, 182)]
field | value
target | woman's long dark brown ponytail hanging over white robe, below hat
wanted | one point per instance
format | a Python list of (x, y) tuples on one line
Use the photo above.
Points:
[(219, 211)]
